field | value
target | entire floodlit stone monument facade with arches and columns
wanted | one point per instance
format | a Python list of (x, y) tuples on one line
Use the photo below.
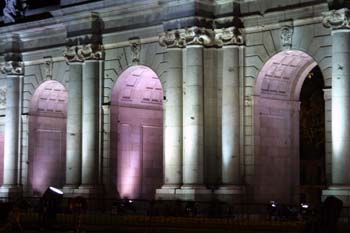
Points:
[(170, 99)]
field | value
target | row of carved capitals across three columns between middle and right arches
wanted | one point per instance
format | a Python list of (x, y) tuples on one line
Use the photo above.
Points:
[(180, 38)]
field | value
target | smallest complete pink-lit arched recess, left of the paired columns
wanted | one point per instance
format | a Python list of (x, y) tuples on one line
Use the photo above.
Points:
[(47, 137)]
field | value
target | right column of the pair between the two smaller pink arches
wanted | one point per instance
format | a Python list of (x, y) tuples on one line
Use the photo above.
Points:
[(90, 120)]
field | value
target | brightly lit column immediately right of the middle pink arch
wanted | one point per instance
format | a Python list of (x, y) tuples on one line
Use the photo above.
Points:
[(172, 120)]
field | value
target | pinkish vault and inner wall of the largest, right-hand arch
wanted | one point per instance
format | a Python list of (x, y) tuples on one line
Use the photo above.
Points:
[(279, 95)]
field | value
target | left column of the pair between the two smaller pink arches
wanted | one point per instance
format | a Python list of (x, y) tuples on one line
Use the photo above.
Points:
[(74, 122)]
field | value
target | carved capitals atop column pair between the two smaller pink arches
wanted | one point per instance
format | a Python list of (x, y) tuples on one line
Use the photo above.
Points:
[(80, 53)]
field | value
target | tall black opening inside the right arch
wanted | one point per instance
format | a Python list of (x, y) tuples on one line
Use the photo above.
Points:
[(312, 137)]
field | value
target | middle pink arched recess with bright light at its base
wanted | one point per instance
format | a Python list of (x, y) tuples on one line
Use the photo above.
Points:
[(137, 132)]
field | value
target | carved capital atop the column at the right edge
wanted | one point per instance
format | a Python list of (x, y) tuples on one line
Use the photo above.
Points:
[(337, 19)]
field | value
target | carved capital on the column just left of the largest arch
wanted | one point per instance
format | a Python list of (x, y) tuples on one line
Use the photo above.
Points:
[(228, 36)]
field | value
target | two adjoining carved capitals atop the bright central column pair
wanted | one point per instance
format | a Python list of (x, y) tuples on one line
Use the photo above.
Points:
[(180, 38)]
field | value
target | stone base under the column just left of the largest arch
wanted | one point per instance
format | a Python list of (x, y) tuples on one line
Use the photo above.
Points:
[(230, 194)]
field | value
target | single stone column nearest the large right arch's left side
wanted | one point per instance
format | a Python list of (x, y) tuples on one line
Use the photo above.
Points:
[(230, 40)]
